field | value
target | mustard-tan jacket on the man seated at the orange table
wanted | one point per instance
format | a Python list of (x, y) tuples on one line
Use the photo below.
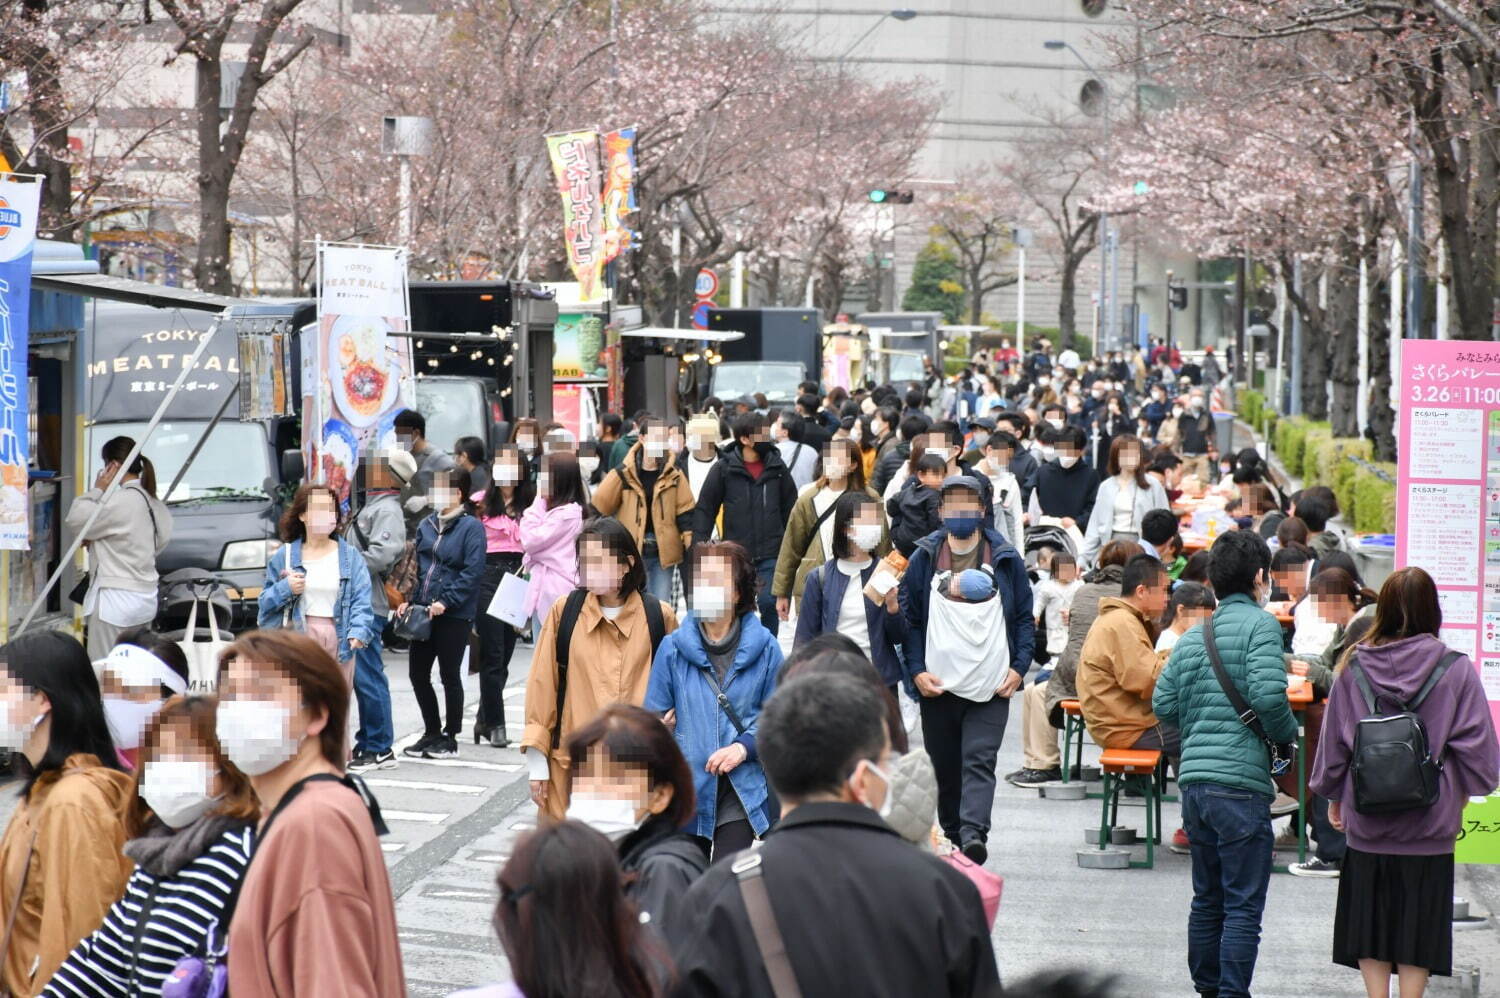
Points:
[(1117, 675)]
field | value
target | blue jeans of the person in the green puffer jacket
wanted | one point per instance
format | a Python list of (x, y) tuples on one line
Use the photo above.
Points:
[(1229, 831)]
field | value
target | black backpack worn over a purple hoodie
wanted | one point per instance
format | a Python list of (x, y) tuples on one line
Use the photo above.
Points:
[(1394, 768)]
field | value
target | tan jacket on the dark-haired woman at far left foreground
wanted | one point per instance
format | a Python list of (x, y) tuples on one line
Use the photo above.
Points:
[(77, 868)]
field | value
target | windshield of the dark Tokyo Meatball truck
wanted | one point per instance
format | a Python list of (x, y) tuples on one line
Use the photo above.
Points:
[(233, 463)]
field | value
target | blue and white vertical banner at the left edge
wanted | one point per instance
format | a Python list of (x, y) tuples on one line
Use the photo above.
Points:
[(20, 197)]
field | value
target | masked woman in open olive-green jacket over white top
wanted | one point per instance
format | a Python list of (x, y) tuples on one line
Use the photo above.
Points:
[(811, 535)]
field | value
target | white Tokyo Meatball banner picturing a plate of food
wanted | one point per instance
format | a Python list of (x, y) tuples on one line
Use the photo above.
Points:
[(362, 374)]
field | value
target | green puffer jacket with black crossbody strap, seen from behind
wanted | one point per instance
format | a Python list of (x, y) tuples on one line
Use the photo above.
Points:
[(1216, 747)]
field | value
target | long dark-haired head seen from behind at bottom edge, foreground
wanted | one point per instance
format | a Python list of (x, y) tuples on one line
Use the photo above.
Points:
[(553, 876)]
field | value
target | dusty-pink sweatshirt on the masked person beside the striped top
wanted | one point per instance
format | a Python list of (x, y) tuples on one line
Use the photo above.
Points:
[(316, 913)]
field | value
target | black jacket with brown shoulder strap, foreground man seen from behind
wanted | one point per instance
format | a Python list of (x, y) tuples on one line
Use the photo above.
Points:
[(862, 912)]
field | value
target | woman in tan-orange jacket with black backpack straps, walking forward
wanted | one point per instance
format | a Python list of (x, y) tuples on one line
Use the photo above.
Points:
[(613, 628)]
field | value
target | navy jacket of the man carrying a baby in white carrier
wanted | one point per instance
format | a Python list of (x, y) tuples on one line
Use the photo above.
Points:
[(1010, 582)]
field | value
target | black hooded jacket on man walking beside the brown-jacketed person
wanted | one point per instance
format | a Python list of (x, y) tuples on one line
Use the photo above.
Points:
[(757, 513)]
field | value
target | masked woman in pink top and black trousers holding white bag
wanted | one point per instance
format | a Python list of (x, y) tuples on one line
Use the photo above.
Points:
[(500, 513)]
